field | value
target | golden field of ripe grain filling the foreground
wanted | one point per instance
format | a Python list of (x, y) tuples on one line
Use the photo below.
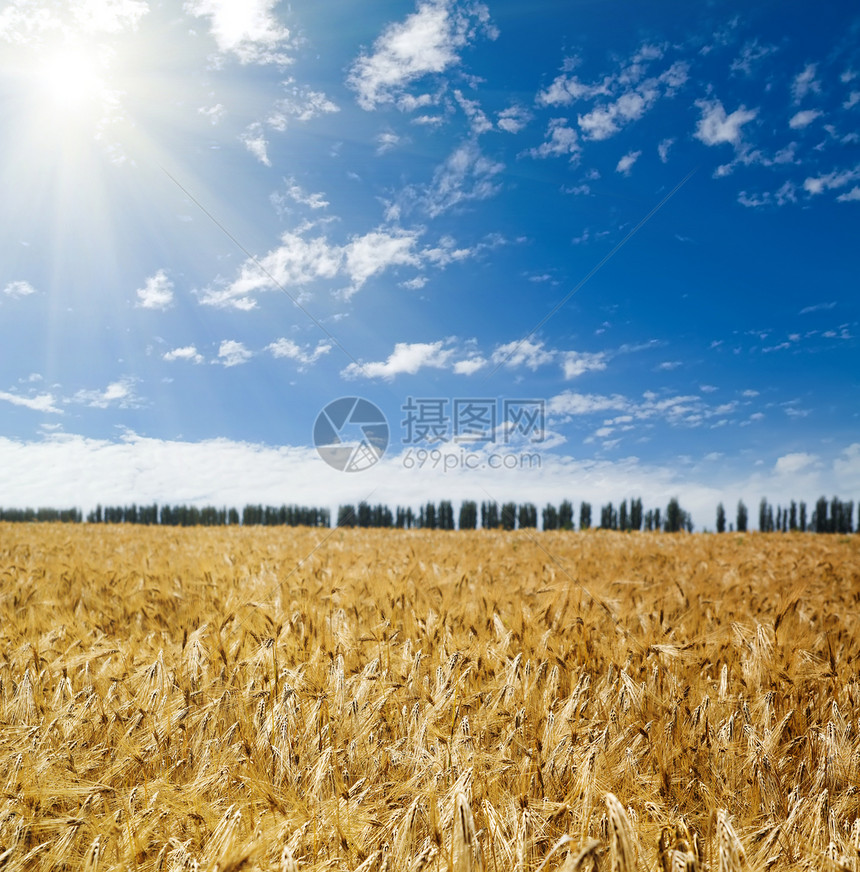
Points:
[(297, 699)]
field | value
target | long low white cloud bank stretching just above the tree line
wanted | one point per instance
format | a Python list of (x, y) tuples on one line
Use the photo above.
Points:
[(75, 470)]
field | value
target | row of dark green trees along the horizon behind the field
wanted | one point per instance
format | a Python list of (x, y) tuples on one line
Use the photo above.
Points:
[(825, 516)]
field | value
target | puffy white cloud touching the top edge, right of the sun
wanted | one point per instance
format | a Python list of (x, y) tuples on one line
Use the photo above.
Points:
[(247, 29)]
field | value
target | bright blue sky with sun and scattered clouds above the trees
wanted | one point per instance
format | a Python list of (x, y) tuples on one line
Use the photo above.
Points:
[(218, 216)]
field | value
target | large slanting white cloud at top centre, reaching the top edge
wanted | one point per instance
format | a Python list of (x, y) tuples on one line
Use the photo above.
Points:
[(426, 42)]
